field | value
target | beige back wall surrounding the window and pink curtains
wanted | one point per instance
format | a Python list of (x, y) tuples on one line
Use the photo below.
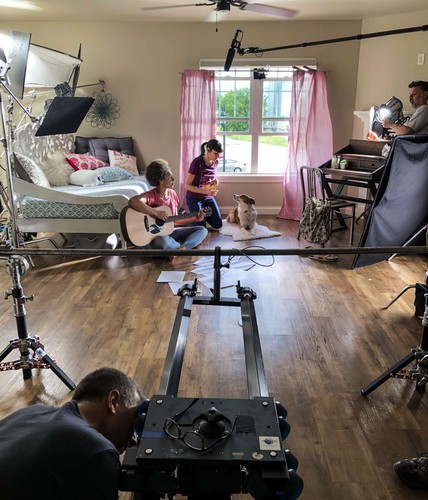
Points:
[(141, 64)]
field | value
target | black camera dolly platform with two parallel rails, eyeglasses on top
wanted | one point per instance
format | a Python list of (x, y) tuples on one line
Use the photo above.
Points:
[(212, 447)]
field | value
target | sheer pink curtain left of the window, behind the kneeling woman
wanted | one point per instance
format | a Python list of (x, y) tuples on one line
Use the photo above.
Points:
[(198, 117)]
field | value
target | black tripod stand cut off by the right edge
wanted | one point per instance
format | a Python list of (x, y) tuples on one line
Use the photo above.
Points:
[(418, 354)]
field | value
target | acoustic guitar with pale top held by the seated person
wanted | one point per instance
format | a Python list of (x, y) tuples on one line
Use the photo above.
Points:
[(140, 229)]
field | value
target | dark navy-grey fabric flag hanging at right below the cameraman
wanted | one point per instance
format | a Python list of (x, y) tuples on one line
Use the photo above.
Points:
[(400, 208)]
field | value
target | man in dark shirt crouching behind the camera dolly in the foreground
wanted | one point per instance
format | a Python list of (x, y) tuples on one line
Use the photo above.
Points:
[(71, 452)]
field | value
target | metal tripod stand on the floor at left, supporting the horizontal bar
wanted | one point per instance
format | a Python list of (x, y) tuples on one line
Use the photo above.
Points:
[(15, 267)]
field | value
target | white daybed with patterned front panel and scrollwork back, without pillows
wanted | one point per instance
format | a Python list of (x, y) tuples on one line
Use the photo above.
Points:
[(70, 208)]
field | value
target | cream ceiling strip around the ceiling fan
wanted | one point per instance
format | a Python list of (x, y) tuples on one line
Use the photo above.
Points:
[(130, 10)]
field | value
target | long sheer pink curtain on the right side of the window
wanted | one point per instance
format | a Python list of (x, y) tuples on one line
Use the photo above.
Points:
[(310, 140)]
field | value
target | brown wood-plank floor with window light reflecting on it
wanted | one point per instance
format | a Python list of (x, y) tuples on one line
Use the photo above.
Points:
[(324, 337)]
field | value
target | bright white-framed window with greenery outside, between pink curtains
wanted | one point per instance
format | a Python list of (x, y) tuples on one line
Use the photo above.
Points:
[(253, 111)]
